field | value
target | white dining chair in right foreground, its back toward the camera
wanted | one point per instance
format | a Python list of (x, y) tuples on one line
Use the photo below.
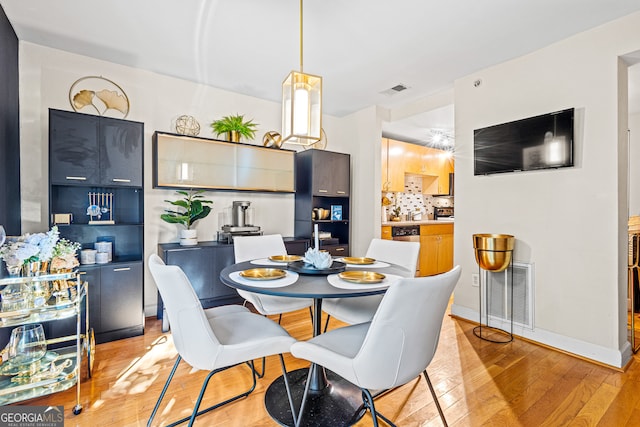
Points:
[(391, 350)]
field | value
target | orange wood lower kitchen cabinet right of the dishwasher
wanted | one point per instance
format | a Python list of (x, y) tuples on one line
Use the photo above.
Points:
[(436, 249)]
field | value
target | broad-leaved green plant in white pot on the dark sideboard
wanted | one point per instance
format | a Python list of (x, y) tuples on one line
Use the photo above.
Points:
[(194, 208)]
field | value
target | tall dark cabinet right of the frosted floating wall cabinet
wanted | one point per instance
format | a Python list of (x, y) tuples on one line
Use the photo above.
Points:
[(323, 180)]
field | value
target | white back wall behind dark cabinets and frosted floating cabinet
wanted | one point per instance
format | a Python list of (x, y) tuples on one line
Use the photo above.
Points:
[(45, 78)]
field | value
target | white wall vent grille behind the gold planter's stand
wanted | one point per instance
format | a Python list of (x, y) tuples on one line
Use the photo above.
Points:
[(499, 296)]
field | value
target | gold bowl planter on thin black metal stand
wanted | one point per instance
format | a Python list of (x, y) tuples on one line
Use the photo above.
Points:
[(494, 253)]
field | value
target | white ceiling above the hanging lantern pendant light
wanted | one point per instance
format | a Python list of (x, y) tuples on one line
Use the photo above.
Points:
[(361, 48)]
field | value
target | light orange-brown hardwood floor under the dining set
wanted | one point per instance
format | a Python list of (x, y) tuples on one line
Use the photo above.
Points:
[(479, 383)]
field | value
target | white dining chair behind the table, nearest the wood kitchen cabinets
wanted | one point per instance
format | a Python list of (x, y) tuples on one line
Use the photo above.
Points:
[(361, 309)]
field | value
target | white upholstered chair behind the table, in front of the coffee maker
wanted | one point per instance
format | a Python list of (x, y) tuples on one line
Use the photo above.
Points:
[(247, 248)]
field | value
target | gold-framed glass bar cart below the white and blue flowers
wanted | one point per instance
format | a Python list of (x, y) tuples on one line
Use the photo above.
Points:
[(64, 296)]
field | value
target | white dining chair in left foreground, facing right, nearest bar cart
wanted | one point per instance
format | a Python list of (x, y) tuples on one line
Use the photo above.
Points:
[(215, 340)]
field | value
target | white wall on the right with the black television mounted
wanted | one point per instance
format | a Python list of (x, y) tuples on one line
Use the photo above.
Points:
[(570, 223)]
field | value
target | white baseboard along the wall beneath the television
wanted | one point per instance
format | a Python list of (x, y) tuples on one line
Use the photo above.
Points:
[(617, 359)]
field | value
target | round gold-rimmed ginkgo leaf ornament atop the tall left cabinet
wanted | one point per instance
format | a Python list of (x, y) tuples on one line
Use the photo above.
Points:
[(98, 94)]
